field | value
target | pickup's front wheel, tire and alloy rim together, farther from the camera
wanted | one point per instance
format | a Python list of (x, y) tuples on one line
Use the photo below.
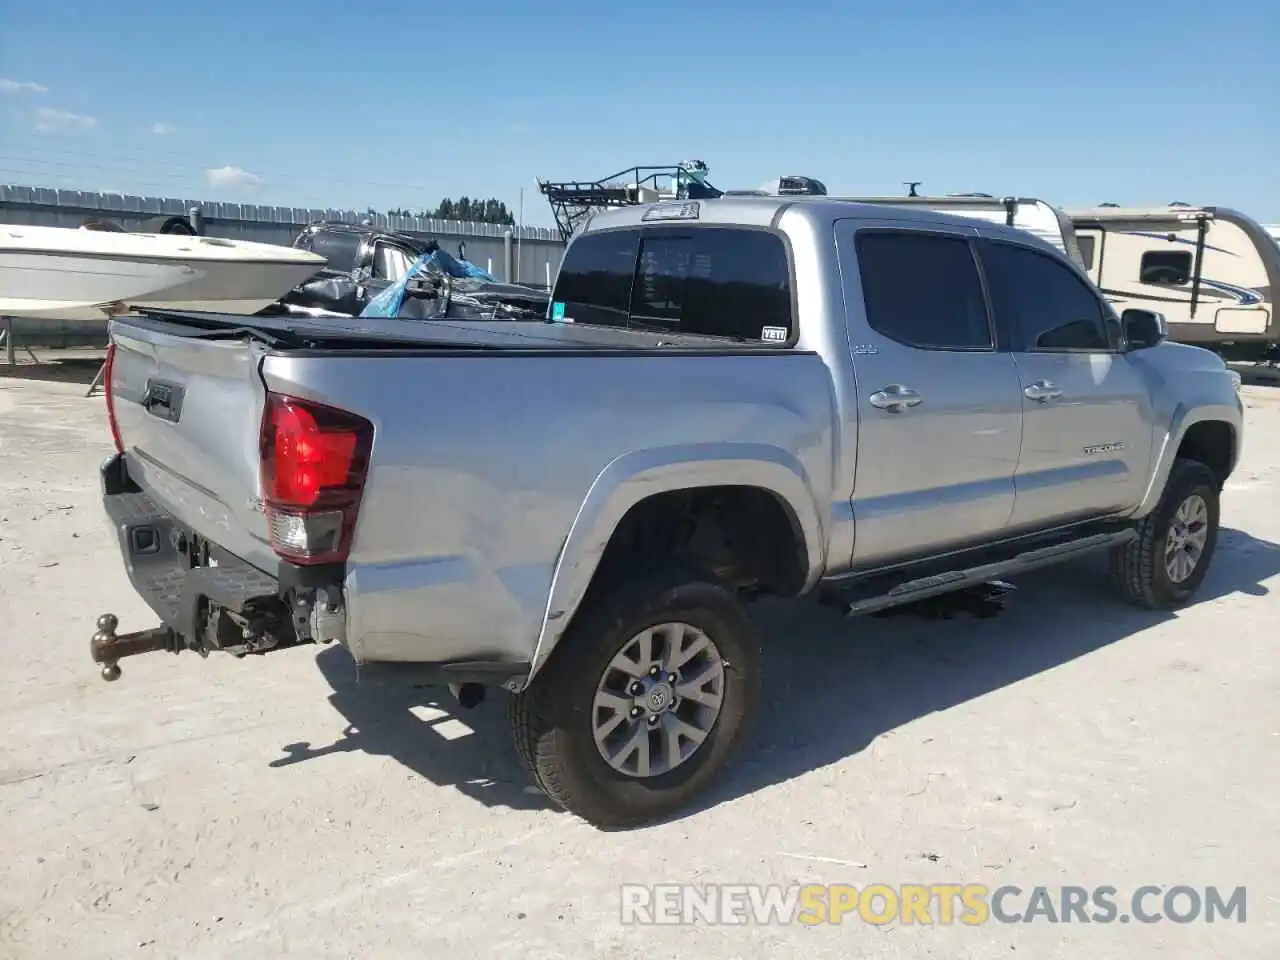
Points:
[(1168, 563)]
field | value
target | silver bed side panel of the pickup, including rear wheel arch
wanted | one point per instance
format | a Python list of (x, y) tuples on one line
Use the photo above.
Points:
[(484, 465)]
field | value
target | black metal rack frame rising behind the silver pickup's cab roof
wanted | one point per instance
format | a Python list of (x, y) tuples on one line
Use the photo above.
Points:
[(574, 202)]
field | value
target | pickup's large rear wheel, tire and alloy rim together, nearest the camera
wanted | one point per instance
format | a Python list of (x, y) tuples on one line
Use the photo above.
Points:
[(644, 702)]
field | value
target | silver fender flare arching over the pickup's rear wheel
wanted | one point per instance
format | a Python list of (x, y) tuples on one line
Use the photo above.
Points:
[(636, 477)]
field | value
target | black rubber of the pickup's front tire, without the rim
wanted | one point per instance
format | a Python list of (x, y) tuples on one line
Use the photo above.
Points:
[(1139, 568)]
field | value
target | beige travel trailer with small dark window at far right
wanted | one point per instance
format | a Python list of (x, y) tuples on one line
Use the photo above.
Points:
[(1213, 272)]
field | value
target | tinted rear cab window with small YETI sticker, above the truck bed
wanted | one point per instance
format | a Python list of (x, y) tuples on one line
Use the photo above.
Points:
[(706, 281)]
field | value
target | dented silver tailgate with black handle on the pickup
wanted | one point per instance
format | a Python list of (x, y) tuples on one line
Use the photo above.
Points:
[(190, 414)]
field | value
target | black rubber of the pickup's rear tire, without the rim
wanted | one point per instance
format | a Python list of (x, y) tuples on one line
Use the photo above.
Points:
[(552, 720)]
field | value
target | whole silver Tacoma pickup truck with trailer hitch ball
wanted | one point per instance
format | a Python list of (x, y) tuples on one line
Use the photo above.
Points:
[(789, 396)]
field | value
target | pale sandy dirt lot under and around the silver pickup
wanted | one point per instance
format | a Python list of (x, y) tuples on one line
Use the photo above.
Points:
[(273, 808)]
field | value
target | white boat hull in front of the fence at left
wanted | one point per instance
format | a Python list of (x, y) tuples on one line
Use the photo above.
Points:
[(40, 281)]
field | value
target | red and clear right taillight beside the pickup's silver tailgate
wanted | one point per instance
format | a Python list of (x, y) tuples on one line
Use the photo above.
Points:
[(314, 465)]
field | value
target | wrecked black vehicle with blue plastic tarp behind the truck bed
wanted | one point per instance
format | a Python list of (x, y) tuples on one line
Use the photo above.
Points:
[(365, 263)]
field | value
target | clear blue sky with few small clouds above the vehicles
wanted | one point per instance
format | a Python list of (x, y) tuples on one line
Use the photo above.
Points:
[(316, 103)]
